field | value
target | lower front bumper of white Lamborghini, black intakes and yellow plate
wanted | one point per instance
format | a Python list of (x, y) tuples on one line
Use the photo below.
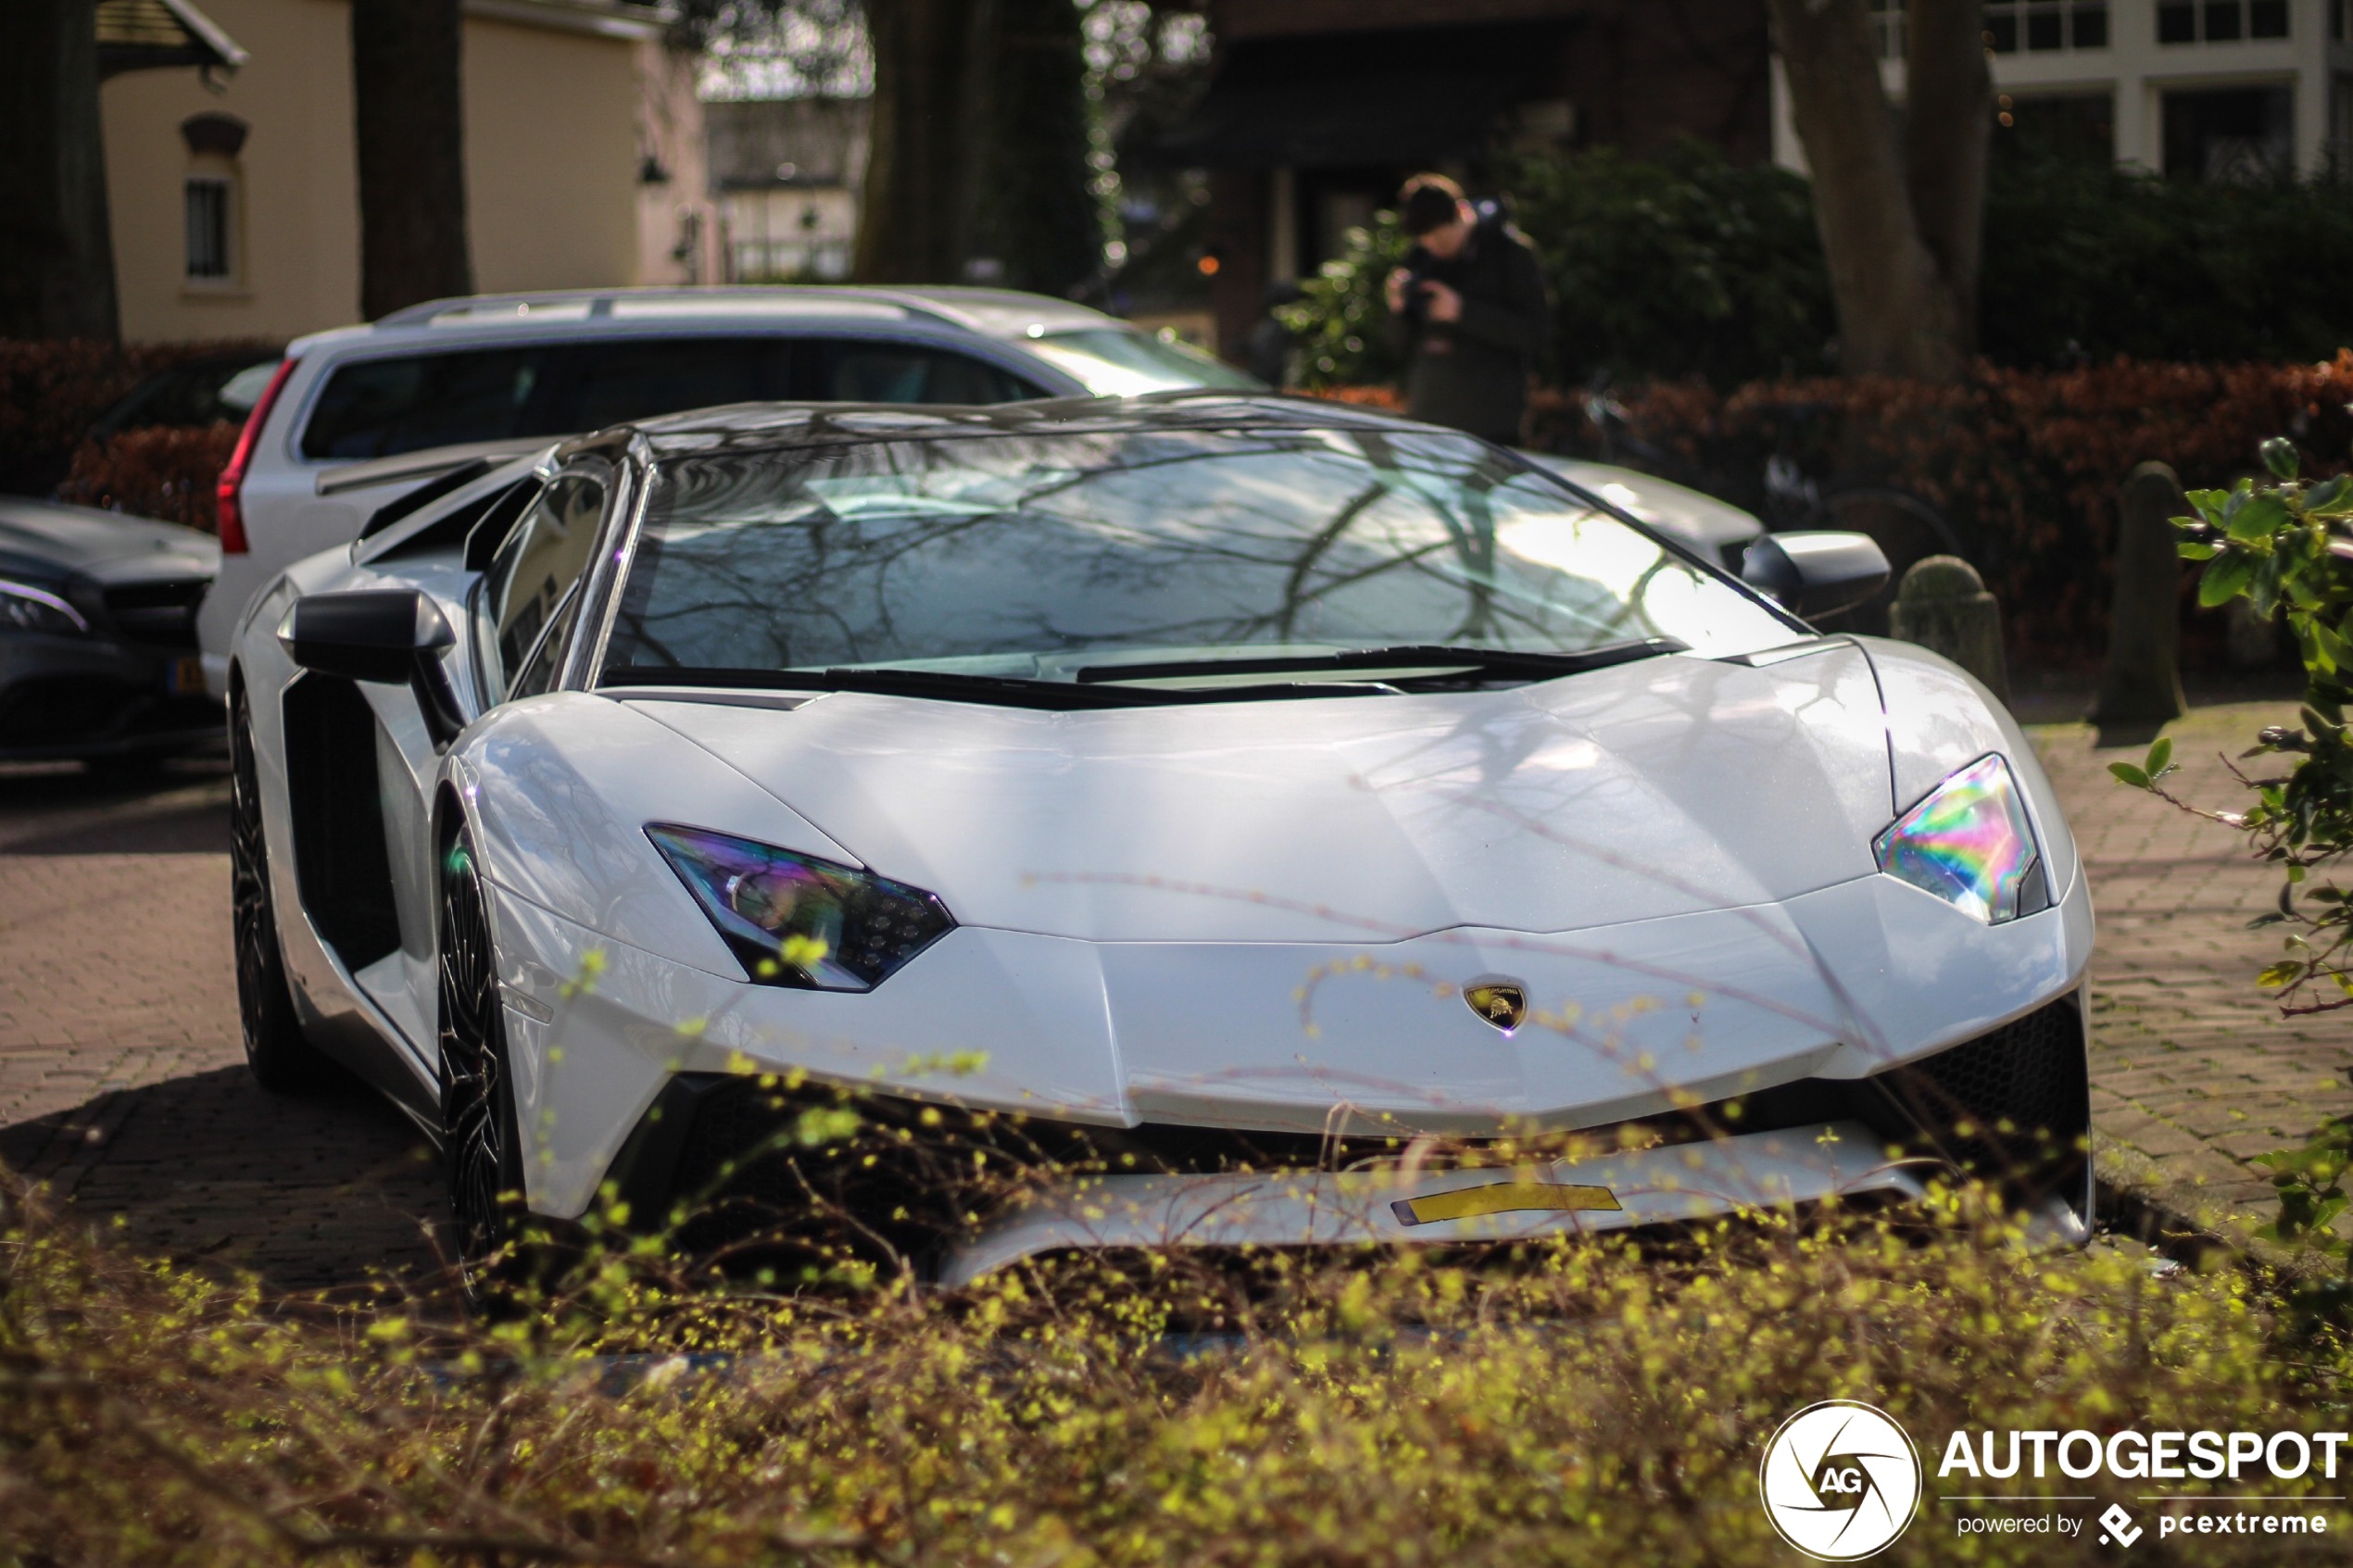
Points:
[(829, 1174)]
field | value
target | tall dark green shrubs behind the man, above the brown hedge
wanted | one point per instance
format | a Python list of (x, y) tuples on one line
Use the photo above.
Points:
[(1691, 267)]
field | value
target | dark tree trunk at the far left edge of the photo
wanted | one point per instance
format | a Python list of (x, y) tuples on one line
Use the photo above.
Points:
[(58, 260)]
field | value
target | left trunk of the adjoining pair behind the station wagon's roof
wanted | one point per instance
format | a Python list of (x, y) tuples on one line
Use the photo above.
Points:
[(916, 210)]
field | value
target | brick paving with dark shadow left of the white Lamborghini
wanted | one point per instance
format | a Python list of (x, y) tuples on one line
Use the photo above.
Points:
[(121, 1078)]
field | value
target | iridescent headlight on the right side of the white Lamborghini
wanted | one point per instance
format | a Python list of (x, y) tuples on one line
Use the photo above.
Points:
[(1971, 845)]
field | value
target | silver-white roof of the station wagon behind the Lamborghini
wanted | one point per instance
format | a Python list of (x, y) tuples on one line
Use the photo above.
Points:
[(996, 314)]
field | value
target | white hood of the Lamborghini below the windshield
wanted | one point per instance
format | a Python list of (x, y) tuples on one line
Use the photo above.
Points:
[(1618, 796)]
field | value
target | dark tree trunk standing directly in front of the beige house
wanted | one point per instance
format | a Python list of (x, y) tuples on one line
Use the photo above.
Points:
[(413, 154)]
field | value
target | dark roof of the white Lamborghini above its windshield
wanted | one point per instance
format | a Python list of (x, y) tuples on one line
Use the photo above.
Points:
[(759, 427)]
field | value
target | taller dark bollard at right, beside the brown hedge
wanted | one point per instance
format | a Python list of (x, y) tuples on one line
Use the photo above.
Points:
[(2142, 685)]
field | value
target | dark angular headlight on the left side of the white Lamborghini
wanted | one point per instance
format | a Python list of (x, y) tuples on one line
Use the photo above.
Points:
[(796, 920)]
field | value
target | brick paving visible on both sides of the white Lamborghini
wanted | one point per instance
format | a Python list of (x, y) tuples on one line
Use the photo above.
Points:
[(121, 1078)]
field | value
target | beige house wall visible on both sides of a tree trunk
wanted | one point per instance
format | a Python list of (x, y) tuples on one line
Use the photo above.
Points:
[(552, 168)]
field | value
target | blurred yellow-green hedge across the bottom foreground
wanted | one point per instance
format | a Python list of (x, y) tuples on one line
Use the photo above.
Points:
[(1599, 1405)]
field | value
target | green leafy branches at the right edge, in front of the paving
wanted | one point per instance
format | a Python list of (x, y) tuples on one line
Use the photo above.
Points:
[(2288, 551)]
